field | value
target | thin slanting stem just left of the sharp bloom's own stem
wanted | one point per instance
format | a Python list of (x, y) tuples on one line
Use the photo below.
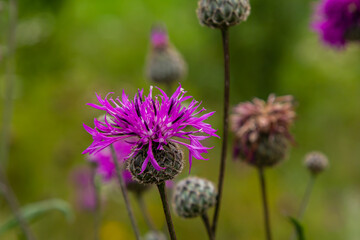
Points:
[(125, 194)]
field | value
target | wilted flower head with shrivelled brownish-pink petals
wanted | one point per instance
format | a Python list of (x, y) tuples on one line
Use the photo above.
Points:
[(262, 129)]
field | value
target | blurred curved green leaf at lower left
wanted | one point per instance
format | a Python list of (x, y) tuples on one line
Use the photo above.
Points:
[(34, 211)]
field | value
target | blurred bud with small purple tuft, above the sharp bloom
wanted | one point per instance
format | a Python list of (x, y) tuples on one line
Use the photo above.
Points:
[(164, 63)]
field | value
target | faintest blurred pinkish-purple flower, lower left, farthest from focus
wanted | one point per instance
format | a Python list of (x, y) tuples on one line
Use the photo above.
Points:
[(84, 188)]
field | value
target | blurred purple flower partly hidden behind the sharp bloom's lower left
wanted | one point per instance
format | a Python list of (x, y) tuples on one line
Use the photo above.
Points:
[(105, 163)]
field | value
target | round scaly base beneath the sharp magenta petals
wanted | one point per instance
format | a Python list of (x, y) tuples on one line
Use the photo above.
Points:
[(170, 159)]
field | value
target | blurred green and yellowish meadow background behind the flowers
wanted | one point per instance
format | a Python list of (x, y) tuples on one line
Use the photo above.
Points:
[(68, 50)]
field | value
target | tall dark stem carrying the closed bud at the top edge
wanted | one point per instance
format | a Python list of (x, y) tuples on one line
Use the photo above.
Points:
[(225, 39)]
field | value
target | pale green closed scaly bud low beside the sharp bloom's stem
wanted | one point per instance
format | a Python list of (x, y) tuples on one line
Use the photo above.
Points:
[(193, 196)]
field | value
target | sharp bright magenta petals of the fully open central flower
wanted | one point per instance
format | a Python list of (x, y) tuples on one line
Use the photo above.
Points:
[(148, 120)]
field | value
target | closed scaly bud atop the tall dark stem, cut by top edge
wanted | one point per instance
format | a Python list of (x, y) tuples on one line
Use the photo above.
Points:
[(222, 13)]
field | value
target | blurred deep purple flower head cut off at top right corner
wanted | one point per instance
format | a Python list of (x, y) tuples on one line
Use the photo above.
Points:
[(338, 21)]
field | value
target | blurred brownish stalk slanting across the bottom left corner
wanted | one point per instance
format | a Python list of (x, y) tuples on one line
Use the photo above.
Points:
[(14, 206)]
